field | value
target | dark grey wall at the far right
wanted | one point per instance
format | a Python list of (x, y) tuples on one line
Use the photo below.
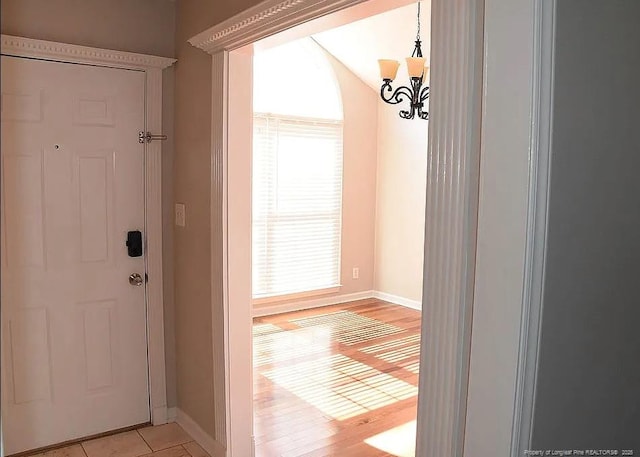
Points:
[(587, 393)]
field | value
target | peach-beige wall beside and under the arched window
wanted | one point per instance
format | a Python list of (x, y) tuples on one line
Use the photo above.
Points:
[(359, 104)]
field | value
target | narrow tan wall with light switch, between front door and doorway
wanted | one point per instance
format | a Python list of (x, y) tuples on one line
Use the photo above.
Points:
[(194, 349)]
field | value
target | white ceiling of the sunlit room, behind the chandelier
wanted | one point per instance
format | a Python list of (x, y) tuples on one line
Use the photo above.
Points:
[(389, 35)]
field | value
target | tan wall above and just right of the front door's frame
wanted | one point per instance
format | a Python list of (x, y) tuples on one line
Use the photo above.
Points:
[(115, 24)]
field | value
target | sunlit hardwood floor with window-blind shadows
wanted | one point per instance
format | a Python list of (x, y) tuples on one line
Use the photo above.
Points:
[(337, 381)]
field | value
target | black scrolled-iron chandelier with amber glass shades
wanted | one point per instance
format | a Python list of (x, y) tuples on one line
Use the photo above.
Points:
[(416, 94)]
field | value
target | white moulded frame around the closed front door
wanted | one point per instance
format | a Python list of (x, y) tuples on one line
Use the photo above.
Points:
[(152, 67)]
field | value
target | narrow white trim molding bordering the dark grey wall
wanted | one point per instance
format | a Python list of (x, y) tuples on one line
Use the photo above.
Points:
[(537, 224)]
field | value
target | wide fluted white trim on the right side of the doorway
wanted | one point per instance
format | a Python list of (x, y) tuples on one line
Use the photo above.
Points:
[(450, 224)]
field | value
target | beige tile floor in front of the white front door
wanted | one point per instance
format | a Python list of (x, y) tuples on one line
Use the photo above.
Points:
[(168, 440)]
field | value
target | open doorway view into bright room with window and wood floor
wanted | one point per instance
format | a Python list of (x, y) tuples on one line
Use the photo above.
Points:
[(338, 195)]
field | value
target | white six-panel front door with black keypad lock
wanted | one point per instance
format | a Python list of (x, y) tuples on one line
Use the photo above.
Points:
[(74, 345)]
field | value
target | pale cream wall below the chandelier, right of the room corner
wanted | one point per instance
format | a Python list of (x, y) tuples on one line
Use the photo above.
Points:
[(400, 208)]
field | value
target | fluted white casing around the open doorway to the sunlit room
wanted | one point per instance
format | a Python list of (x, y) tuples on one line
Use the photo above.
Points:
[(451, 216)]
